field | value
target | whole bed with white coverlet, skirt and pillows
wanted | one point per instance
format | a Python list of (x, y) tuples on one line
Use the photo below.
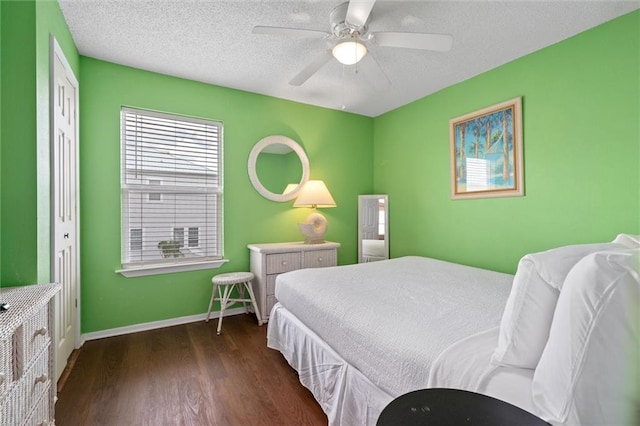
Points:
[(361, 335)]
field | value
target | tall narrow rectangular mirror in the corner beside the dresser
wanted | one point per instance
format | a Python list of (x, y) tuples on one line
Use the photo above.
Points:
[(373, 228)]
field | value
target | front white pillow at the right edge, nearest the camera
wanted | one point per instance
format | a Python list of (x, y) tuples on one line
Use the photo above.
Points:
[(589, 373)]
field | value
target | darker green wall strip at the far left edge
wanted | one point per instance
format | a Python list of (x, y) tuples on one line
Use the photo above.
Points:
[(19, 236)]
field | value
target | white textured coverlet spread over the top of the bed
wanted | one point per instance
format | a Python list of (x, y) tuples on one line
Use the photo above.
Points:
[(391, 319)]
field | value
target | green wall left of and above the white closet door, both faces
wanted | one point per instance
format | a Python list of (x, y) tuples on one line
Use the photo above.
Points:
[(24, 157)]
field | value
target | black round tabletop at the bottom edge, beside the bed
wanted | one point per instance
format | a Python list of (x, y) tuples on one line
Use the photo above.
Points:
[(451, 407)]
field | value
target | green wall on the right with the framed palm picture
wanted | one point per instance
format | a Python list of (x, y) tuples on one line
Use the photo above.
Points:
[(581, 155)]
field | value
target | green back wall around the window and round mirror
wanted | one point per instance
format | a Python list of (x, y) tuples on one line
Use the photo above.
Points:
[(338, 146)]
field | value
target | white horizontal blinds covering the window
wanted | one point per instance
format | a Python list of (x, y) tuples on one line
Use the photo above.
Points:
[(171, 181)]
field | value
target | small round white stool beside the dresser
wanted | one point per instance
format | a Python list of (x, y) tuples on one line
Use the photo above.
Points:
[(238, 280)]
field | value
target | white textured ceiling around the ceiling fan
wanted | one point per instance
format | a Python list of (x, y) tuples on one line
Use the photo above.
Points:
[(212, 42)]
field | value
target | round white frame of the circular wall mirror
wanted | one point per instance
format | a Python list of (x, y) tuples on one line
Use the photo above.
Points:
[(253, 158)]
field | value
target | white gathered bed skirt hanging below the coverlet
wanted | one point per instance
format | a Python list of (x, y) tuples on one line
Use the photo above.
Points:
[(346, 396)]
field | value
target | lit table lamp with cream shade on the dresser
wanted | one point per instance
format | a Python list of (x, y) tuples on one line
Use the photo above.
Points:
[(314, 194)]
